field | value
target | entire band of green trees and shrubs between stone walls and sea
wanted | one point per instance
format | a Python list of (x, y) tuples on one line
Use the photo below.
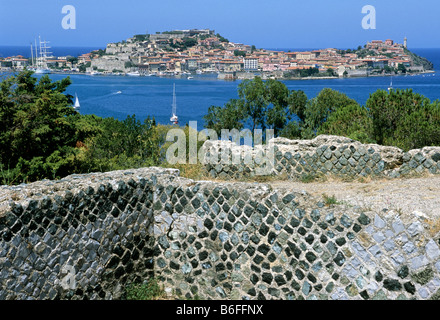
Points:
[(42, 136)]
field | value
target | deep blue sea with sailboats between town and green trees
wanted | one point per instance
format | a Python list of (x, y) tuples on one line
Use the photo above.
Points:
[(120, 96)]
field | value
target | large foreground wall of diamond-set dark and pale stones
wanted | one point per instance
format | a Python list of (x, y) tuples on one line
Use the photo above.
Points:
[(88, 236)]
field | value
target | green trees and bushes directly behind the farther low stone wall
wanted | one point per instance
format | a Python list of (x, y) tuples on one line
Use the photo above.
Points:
[(399, 118)]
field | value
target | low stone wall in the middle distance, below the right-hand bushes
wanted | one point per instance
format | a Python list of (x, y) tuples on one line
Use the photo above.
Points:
[(298, 159)]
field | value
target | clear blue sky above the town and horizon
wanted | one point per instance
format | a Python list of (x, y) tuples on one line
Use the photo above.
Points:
[(265, 24)]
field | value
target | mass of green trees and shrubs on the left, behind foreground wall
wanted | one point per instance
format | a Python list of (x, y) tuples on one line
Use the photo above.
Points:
[(42, 136)]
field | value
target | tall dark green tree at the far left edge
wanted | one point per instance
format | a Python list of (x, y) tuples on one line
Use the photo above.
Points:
[(36, 135)]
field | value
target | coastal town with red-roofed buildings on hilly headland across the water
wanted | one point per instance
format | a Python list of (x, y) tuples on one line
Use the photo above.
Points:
[(184, 53)]
